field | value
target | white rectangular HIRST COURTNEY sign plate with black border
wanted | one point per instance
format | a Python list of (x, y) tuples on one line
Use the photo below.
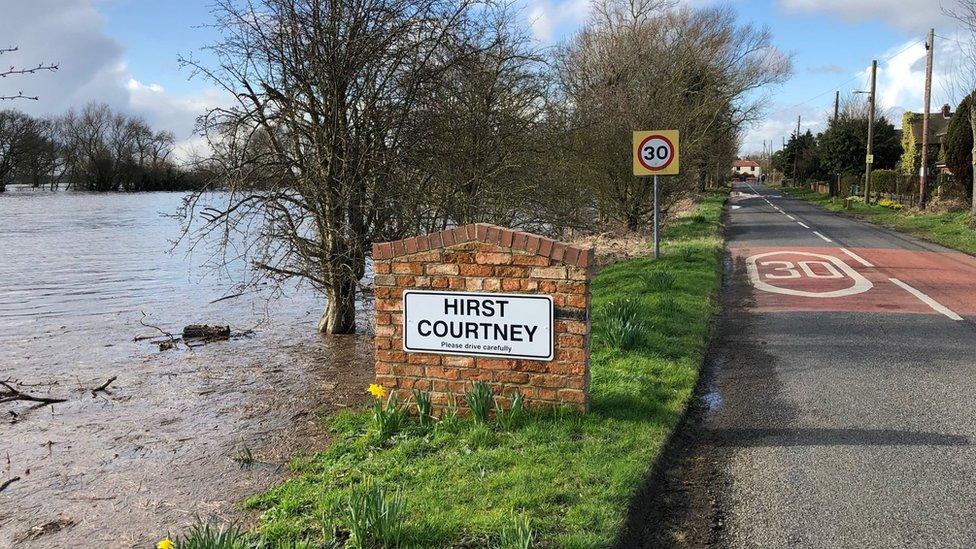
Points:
[(478, 324)]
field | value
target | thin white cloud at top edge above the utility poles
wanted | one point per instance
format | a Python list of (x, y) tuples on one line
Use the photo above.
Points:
[(906, 14)]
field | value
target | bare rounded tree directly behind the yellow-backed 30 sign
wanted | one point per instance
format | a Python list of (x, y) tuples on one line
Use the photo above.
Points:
[(647, 64)]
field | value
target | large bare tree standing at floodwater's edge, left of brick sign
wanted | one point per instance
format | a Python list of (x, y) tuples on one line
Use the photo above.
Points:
[(314, 152)]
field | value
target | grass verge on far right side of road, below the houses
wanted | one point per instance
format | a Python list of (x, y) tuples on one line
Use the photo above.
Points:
[(951, 230)]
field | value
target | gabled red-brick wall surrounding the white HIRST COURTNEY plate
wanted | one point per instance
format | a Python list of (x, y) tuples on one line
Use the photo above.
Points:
[(485, 258)]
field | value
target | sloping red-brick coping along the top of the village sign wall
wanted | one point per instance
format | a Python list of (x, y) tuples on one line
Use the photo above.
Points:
[(486, 233)]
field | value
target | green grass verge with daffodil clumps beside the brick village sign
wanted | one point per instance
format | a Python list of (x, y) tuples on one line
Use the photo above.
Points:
[(556, 477)]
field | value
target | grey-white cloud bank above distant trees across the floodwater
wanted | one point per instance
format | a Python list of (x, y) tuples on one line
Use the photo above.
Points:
[(92, 68)]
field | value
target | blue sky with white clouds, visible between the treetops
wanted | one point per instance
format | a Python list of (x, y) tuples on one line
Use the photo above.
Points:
[(124, 53)]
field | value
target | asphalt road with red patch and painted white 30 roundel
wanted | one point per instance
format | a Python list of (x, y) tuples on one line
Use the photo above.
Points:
[(839, 409)]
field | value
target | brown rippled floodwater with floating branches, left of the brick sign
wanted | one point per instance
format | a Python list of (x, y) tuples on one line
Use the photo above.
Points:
[(123, 467)]
